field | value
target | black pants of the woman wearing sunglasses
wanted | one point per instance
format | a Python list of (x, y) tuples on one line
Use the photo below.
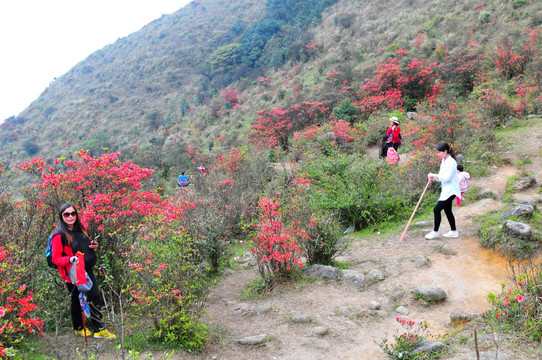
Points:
[(94, 299)]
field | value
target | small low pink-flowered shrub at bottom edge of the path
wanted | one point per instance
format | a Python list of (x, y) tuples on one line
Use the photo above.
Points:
[(405, 343)]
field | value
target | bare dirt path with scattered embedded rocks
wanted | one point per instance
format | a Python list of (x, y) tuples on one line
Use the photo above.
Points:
[(353, 329)]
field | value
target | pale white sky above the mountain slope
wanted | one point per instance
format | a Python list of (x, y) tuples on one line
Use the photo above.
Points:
[(43, 39)]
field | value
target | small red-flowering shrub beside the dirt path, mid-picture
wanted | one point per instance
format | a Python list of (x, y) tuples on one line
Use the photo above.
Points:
[(276, 247)]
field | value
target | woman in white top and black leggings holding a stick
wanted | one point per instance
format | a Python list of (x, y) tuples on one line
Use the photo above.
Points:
[(449, 190)]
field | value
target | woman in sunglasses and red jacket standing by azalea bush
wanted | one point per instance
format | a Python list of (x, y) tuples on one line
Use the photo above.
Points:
[(71, 239)]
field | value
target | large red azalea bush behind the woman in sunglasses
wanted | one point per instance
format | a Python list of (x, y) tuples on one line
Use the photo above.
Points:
[(139, 231)]
